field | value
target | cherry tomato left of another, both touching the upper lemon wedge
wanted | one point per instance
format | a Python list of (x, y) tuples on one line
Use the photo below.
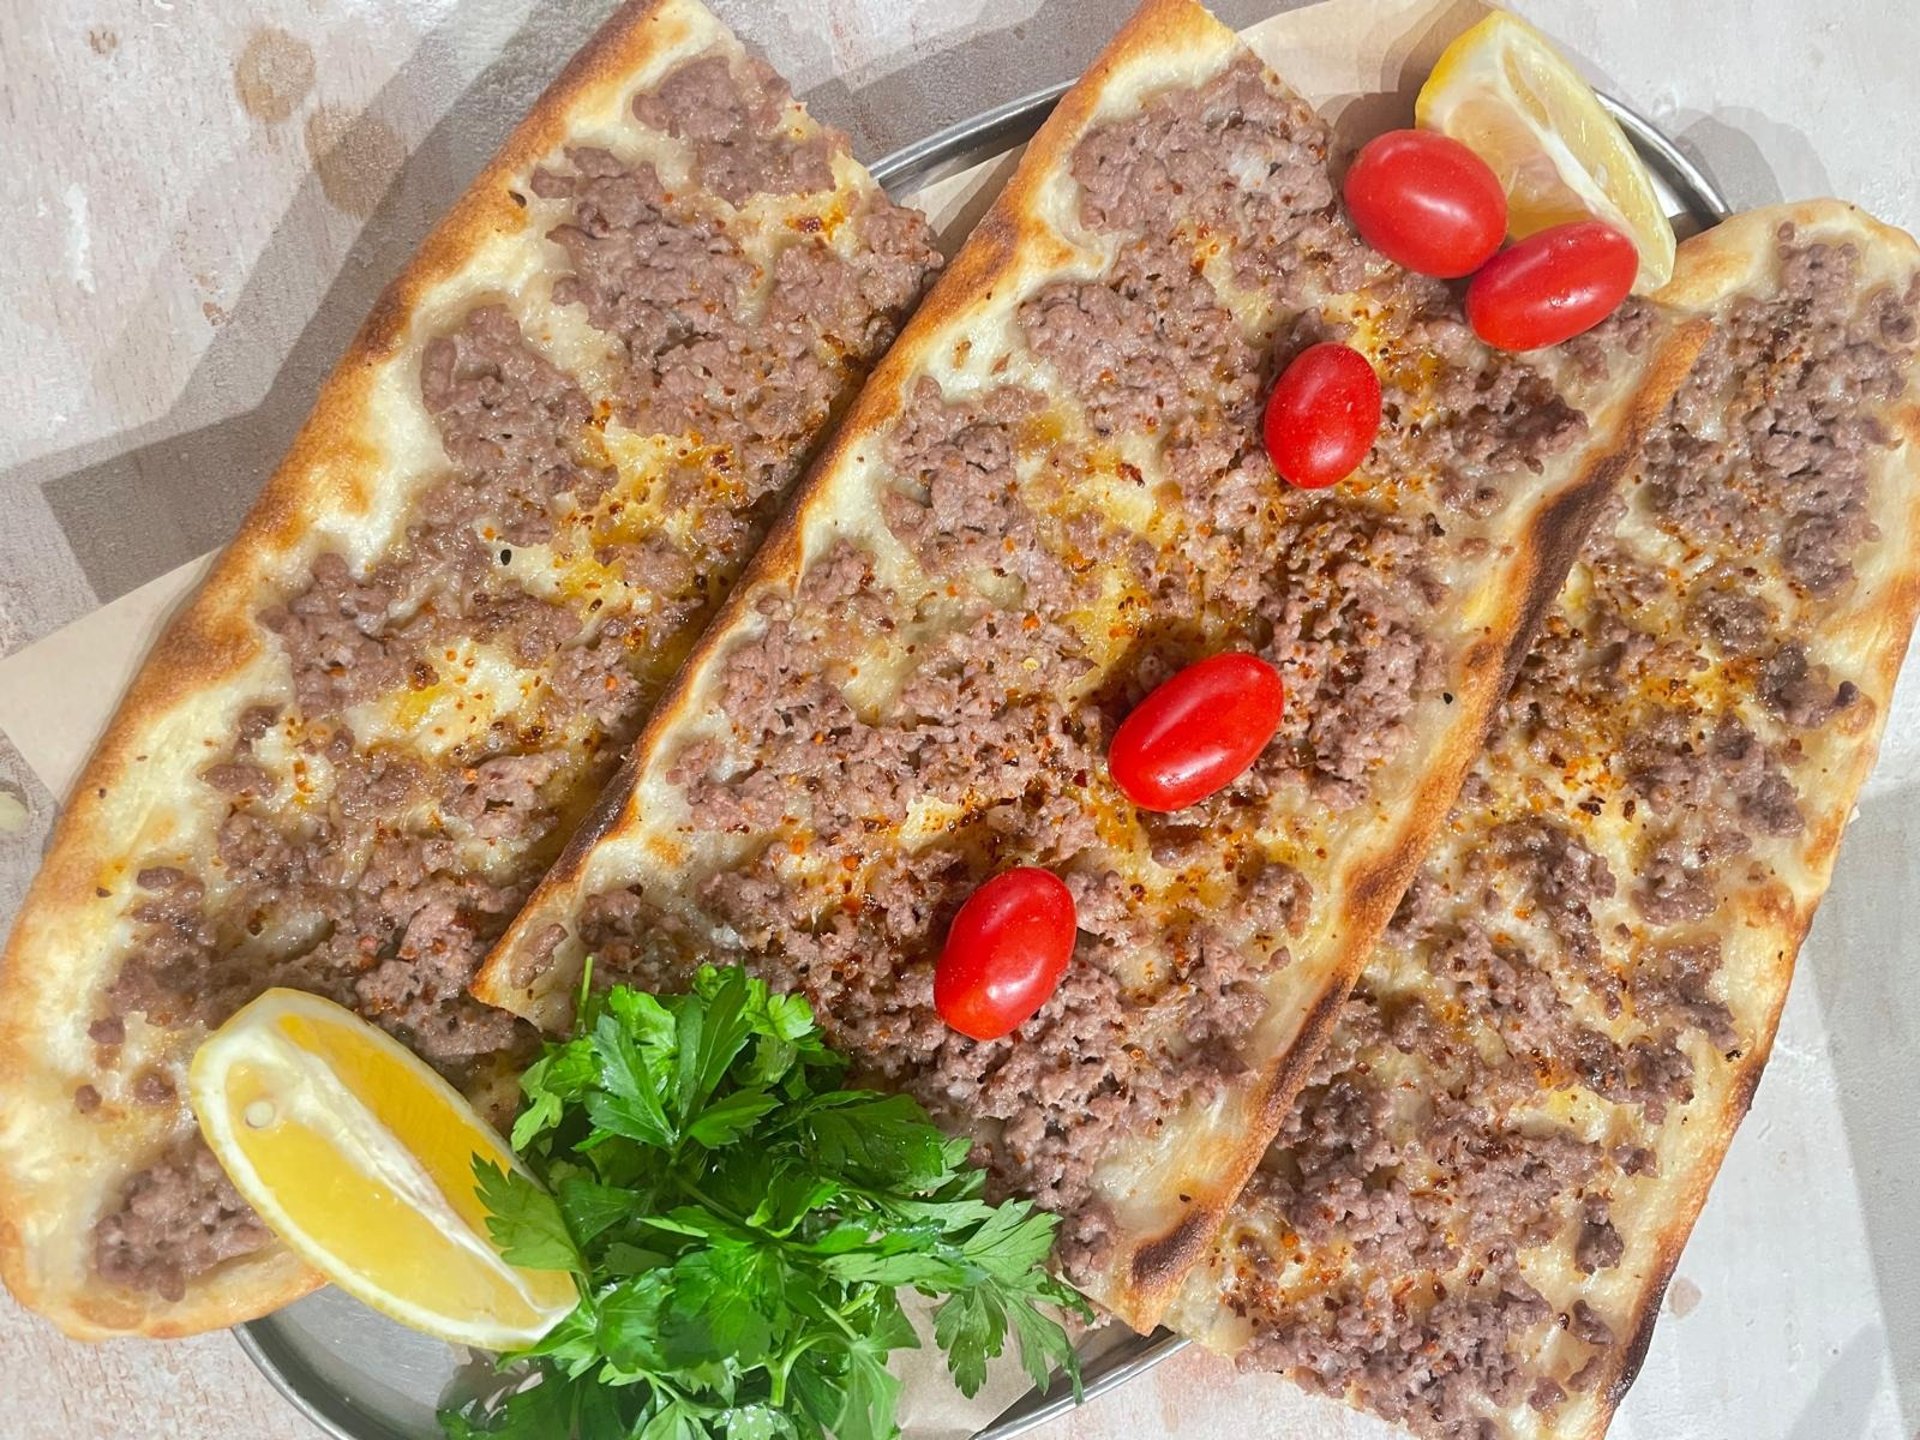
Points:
[(1428, 203)]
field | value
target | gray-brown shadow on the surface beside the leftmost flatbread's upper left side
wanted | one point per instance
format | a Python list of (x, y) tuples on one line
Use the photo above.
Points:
[(156, 500)]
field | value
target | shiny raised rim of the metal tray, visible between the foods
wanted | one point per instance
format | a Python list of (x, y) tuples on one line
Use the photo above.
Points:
[(923, 162)]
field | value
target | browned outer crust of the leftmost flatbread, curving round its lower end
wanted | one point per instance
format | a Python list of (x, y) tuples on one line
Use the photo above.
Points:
[(216, 636)]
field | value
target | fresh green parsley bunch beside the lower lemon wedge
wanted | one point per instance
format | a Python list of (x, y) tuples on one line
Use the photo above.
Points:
[(740, 1226)]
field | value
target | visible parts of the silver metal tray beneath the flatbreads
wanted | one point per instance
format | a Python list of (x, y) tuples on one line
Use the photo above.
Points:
[(358, 1376)]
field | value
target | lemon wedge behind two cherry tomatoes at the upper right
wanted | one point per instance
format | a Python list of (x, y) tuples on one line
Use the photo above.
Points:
[(1510, 97)]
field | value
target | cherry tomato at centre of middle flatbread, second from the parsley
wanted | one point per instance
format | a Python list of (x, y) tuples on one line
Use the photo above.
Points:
[(1197, 732)]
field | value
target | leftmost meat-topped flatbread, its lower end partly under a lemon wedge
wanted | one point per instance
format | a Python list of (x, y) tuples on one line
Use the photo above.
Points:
[(535, 473)]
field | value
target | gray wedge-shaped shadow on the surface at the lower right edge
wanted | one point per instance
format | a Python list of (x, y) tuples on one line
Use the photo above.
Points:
[(1863, 961)]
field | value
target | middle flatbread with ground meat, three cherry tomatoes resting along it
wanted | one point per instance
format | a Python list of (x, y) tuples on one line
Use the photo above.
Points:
[(1049, 496)]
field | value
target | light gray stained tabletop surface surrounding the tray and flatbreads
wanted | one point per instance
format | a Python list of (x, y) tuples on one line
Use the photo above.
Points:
[(178, 274)]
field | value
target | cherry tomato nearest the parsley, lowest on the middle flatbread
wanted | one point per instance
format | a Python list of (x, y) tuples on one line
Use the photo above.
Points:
[(1005, 953)]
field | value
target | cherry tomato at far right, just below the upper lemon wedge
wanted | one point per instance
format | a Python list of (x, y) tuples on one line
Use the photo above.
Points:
[(1552, 287)]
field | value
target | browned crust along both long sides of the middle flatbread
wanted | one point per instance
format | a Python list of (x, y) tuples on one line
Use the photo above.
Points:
[(1145, 1272)]
